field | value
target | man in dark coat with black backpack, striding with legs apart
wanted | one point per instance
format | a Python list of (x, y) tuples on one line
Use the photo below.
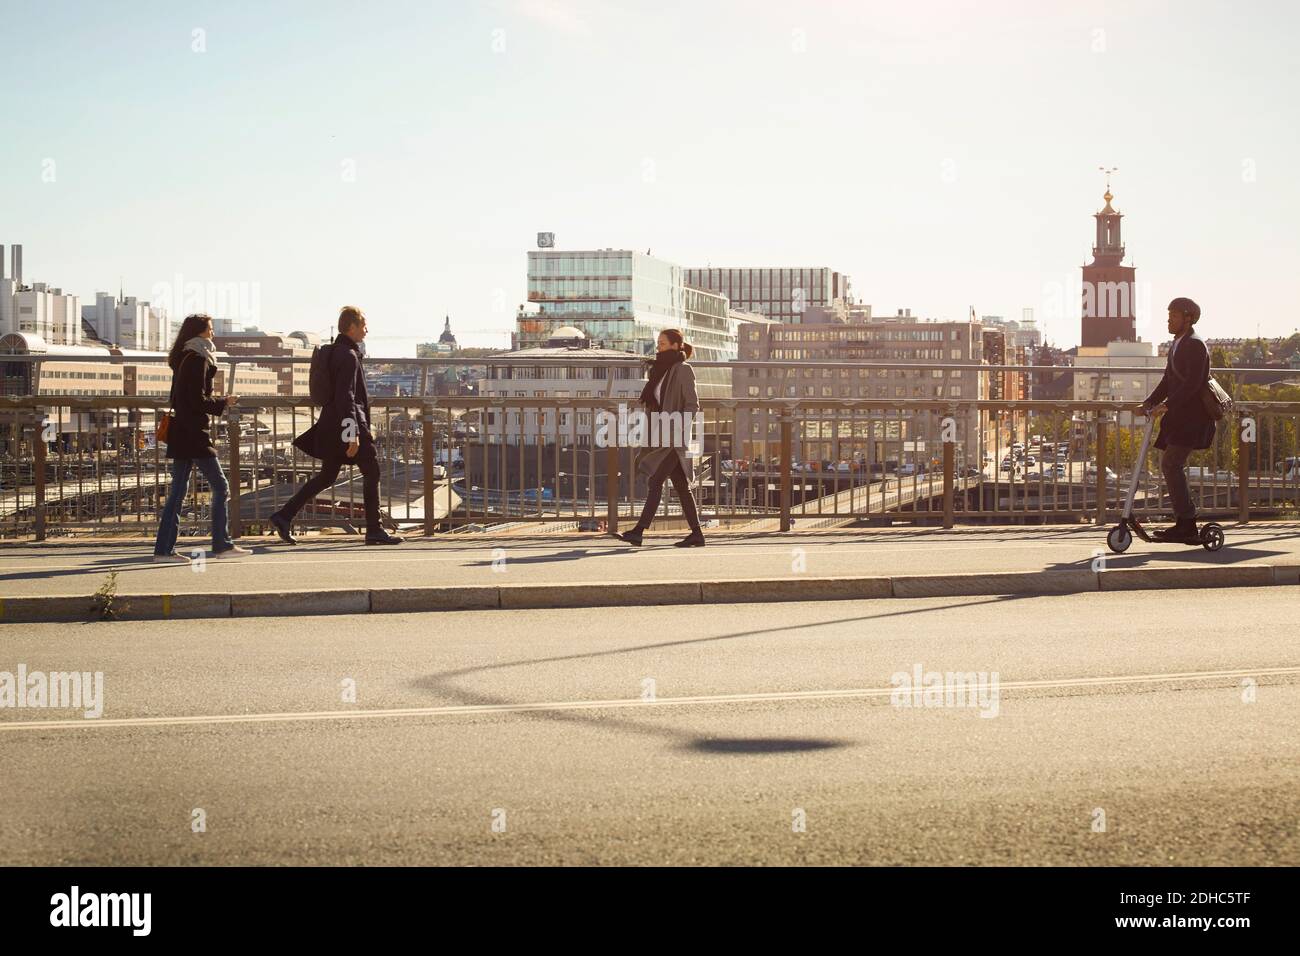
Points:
[(343, 434)]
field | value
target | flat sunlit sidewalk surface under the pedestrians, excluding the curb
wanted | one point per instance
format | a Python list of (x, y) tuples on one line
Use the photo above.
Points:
[(81, 568)]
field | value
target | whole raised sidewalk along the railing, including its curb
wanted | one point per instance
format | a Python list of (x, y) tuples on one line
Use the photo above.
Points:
[(337, 574)]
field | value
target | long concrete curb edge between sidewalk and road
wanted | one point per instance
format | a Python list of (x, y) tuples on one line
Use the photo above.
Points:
[(73, 608)]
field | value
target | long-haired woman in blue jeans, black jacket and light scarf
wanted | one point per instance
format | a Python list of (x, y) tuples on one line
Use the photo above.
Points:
[(189, 445)]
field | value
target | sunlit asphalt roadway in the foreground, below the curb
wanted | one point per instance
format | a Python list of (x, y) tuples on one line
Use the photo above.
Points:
[(1132, 704)]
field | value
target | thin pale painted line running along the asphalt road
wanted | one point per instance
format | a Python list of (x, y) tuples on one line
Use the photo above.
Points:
[(622, 703)]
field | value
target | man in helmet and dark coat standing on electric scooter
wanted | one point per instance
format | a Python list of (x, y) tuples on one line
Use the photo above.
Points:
[(1186, 425)]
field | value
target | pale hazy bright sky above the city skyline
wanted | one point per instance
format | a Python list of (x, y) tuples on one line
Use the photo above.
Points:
[(291, 158)]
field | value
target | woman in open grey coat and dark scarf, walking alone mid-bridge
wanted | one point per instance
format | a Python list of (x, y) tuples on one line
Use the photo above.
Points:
[(671, 388)]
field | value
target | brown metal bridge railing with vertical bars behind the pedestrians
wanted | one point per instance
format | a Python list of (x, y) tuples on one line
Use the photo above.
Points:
[(90, 465)]
